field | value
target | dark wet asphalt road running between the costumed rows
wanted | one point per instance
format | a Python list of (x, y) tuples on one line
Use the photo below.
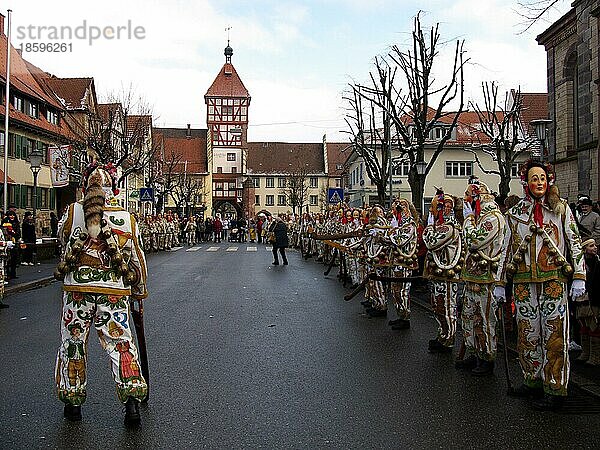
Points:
[(246, 355)]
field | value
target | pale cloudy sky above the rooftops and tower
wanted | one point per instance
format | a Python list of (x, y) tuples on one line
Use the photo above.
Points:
[(295, 57)]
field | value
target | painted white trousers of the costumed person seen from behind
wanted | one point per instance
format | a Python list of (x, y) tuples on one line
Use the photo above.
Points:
[(109, 315)]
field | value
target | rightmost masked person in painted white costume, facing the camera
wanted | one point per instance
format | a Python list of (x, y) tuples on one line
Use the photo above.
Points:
[(541, 253)]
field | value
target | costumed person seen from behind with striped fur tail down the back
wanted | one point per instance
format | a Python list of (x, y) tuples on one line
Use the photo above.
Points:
[(102, 266)]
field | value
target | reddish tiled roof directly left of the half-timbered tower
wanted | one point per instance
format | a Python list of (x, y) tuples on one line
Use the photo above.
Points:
[(192, 149)]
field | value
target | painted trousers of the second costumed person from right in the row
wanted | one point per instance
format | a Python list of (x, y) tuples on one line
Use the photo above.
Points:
[(479, 320)]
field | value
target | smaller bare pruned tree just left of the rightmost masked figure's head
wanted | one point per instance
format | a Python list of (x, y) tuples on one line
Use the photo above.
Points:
[(500, 133)]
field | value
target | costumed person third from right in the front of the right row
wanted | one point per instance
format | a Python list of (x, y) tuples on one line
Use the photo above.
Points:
[(442, 237)]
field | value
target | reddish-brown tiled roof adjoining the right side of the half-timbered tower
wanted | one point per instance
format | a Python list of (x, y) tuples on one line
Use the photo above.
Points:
[(284, 157)]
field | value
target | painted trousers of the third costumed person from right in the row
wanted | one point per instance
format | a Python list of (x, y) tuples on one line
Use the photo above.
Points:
[(444, 308)]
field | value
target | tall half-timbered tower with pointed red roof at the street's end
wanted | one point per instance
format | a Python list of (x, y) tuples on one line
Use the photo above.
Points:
[(227, 102)]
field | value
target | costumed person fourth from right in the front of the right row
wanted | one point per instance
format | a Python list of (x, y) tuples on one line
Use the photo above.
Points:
[(403, 238)]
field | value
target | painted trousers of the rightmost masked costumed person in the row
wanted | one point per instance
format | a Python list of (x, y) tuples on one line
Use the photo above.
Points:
[(543, 325)]
